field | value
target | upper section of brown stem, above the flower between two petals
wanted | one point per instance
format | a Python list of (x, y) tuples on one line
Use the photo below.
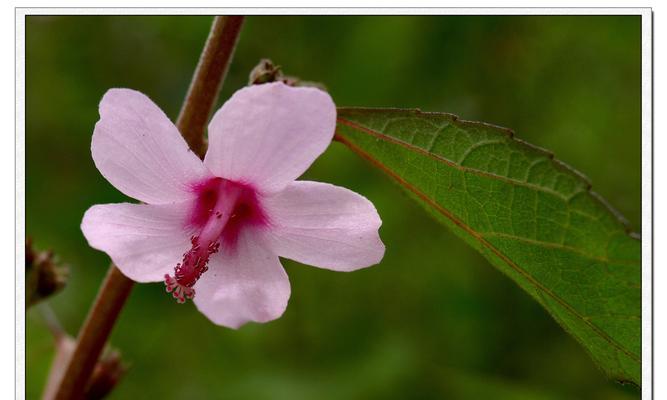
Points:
[(207, 81)]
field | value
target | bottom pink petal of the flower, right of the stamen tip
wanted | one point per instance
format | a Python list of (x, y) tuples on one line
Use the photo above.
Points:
[(248, 284)]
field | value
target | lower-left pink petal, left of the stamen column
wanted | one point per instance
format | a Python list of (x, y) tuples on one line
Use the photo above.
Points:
[(144, 241)]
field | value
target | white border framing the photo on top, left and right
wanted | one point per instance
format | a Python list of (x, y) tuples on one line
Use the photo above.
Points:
[(647, 145)]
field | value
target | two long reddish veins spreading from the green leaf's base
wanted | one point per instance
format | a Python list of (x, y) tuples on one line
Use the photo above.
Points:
[(476, 235)]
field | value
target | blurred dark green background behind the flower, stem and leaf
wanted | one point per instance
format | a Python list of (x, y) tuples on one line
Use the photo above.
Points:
[(434, 319)]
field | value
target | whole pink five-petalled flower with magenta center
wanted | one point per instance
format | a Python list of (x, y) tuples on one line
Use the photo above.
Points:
[(213, 230)]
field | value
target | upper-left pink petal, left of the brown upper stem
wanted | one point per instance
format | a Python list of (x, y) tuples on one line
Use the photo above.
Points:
[(139, 151)]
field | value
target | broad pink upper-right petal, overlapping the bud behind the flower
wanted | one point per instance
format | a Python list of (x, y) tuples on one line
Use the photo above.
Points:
[(268, 135)]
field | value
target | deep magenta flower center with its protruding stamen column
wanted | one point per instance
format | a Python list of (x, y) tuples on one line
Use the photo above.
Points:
[(222, 209)]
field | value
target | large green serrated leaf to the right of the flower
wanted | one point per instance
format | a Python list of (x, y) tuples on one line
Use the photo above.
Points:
[(533, 217)]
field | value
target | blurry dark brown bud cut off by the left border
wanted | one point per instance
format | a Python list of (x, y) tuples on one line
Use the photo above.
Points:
[(44, 275)]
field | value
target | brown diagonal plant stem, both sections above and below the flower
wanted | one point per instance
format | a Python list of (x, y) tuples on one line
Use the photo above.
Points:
[(116, 287)]
